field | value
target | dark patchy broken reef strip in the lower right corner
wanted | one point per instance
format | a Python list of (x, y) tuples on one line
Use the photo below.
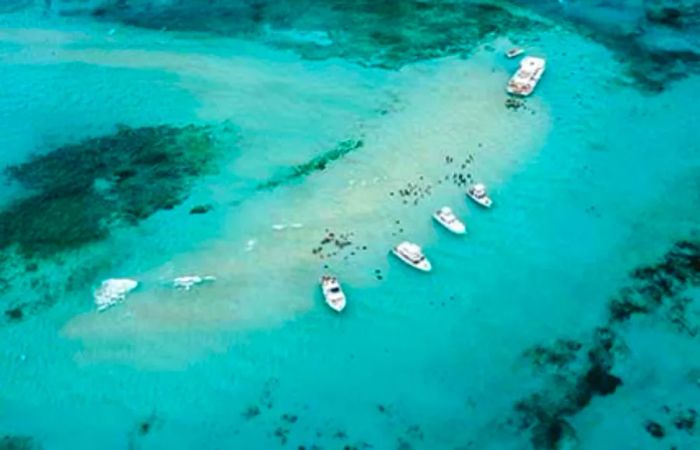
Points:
[(579, 371)]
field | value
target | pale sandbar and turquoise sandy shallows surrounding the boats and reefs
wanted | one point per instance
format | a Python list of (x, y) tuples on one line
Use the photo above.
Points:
[(593, 179)]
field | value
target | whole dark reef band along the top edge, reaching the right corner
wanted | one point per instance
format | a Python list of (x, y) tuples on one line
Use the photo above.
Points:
[(654, 40)]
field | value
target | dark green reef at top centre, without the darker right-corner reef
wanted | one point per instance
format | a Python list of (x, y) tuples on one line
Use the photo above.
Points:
[(362, 31)]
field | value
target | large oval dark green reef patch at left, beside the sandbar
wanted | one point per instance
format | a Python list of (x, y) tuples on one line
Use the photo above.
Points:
[(77, 194)]
